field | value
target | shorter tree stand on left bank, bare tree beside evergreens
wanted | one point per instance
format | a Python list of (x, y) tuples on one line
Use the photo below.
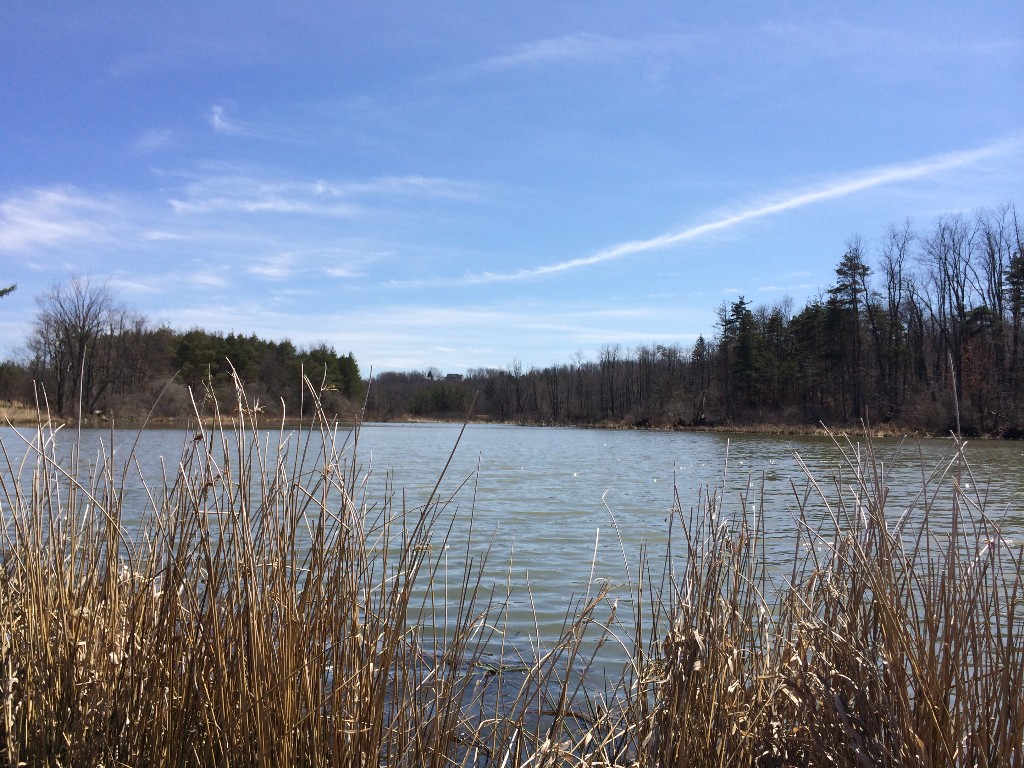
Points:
[(91, 355)]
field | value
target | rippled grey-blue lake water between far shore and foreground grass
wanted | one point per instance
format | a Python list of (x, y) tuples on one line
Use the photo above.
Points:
[(561, 510)]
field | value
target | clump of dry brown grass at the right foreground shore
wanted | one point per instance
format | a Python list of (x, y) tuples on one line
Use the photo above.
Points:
[(888, 644)]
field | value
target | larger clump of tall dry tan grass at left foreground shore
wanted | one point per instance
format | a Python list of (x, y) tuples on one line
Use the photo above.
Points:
[(262, 611)]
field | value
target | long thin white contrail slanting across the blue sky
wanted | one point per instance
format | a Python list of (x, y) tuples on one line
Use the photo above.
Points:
[(838, 189)]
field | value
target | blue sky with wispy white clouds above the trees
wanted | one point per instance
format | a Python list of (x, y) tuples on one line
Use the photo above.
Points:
[(476, 185)]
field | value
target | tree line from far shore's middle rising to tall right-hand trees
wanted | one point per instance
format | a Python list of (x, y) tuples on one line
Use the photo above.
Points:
[(924, 331)]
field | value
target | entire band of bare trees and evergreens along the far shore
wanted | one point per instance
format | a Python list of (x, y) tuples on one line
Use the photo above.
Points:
[(924, 330)]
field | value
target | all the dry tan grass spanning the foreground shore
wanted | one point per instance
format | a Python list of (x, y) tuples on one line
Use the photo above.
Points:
[(267, 609)]
